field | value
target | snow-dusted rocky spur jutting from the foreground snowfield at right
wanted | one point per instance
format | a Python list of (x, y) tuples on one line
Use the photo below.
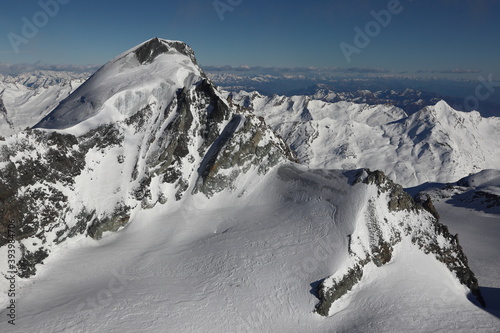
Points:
[(386, 227)]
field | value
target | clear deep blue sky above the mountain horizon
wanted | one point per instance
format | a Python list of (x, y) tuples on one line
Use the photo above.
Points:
[(426, 36)]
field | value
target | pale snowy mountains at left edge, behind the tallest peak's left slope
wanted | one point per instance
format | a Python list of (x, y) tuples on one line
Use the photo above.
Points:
[(29, 97)]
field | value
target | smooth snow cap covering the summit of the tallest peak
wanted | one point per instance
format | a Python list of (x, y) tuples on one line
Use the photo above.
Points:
[(148, 74)]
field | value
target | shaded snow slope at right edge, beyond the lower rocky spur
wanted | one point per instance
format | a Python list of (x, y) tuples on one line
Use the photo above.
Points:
[(471, 209)]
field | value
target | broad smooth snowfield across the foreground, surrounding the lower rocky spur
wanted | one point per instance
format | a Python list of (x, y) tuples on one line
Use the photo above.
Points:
[(249, 265)]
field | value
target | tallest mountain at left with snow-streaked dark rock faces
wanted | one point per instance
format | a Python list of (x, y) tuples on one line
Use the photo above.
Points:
[(57, 185)]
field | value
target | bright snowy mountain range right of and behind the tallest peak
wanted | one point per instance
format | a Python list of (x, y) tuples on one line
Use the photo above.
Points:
[(436, 144)]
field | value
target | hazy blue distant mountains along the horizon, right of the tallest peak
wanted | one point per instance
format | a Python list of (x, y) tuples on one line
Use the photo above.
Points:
[(410, 93)]
